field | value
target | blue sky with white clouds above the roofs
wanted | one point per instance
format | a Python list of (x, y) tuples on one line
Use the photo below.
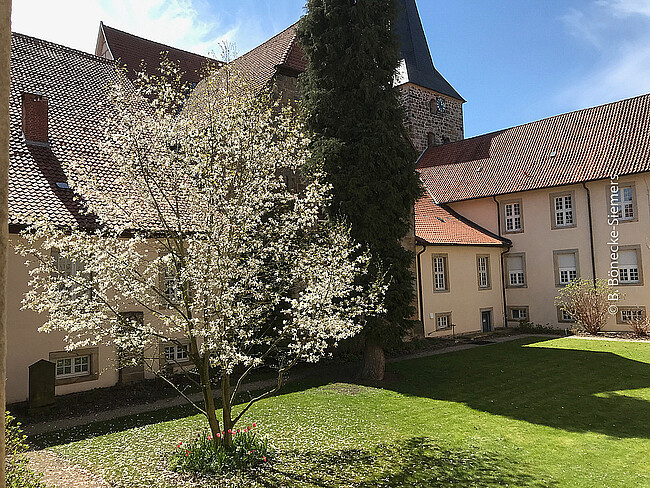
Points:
[(514, 61)]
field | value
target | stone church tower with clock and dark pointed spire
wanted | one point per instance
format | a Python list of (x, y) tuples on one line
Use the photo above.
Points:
[(433, 110)]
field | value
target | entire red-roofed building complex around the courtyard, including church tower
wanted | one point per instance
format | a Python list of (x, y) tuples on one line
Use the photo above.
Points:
[(507, 219)]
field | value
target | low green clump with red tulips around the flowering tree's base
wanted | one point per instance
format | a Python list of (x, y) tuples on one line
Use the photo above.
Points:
[(200, 455)]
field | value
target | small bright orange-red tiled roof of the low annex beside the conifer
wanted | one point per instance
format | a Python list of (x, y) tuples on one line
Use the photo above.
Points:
[(439, 225)]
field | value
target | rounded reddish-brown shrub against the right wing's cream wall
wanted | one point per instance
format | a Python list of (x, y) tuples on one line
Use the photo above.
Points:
[(587, 302)]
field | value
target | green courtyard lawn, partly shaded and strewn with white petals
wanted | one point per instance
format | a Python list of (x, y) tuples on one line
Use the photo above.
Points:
[(531, 412)]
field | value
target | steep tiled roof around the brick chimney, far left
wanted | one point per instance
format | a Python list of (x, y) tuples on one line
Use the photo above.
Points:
[(76, 85)]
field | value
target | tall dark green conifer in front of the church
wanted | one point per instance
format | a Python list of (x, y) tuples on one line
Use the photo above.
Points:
[(352, 108)]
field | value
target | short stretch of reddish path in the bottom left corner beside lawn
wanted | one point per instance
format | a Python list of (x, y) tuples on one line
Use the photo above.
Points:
[(58, 472)]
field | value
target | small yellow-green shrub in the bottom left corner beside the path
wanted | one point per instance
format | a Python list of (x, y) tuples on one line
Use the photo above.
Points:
[(17, 473)]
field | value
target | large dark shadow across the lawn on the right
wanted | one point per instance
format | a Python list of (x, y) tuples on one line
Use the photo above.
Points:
[(574, 390)]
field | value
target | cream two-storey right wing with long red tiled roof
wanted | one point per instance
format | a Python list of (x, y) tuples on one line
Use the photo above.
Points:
[(570, 193)]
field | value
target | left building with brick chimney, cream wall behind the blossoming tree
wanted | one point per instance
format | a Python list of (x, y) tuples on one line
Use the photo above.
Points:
[(59, 98)]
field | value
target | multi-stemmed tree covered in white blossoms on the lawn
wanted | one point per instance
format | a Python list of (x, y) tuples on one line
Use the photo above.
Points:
[(202, 226)]
